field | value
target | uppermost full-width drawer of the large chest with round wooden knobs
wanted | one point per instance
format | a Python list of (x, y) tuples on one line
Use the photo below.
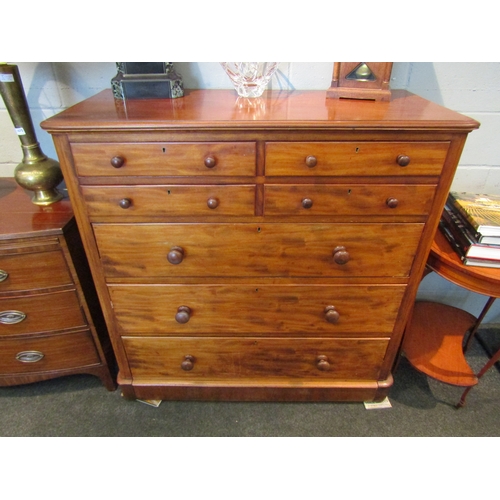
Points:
[(270, 249)]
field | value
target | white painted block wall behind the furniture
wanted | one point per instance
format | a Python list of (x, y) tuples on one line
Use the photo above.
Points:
[(469, 88)]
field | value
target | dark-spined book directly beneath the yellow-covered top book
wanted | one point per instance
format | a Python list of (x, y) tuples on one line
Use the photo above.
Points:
[(463, 241)]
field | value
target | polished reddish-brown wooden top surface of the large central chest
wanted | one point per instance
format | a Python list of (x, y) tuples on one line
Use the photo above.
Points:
[(223, 109)]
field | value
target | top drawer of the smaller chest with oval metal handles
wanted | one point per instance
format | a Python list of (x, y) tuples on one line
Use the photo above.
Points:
[(32, 271)]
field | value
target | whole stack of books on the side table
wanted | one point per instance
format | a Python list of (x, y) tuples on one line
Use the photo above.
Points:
[(471, 223)]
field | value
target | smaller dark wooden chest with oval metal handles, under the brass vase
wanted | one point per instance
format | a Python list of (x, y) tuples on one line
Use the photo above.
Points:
[(50, 319)]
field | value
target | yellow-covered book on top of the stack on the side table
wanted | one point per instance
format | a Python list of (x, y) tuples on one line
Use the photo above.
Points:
[(480, 211)]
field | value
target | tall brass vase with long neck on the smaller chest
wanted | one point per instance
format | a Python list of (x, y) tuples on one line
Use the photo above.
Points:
[(36, 172)]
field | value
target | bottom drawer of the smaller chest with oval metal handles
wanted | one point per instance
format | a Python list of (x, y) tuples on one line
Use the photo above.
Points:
[(47, 353)]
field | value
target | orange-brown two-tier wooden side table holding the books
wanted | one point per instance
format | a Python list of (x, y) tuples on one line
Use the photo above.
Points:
[(434, 338)]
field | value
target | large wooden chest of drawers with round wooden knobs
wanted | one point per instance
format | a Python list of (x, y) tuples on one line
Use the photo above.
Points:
[(265, 249)]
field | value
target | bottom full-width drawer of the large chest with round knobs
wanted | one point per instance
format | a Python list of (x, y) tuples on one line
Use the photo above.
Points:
[(252, 358)]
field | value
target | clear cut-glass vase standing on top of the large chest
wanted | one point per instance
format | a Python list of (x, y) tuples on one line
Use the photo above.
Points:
[(250, 79)]
